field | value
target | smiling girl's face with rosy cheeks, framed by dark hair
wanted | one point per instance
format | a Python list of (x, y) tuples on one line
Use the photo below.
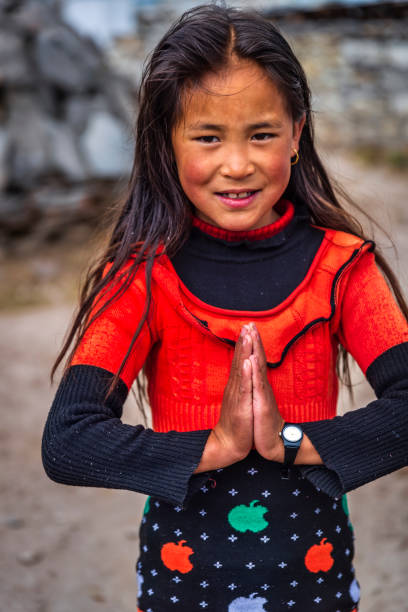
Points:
[(233, 146)]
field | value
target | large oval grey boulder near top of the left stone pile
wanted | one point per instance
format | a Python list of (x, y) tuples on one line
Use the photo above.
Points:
[(66, 60)]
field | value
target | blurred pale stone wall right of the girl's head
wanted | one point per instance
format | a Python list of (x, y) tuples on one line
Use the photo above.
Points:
[(357, 62)]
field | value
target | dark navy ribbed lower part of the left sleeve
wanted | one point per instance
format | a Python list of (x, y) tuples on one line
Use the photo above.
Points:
[(85, 443)]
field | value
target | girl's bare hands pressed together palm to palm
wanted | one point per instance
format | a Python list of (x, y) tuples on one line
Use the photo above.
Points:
[(249, 415)]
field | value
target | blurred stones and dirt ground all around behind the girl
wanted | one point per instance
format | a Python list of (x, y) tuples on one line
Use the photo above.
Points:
[(69, 73)]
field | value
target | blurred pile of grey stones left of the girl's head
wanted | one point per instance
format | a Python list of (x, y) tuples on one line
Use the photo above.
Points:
[(65, 124)]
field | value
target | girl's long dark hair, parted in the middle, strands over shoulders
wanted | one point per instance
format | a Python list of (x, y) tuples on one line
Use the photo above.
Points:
[(155, 210)]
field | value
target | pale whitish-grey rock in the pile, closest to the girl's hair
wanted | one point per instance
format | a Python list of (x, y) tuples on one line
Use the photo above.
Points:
[(104, 146)]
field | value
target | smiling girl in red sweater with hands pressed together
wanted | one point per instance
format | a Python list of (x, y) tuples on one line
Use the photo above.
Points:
[(235, 279)]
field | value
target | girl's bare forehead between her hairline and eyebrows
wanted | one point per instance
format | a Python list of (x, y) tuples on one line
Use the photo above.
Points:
[(241, 92)]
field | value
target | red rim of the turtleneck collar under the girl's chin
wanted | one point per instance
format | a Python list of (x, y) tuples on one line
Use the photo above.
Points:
[(284, 208)]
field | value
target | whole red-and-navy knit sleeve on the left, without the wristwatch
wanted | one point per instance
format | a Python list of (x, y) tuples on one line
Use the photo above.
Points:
[(85, 442)]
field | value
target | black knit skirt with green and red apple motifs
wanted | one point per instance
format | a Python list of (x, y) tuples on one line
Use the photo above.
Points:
[(248, 541)]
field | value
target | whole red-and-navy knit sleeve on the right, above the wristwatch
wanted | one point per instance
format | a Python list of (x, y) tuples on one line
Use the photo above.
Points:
[(372, 441)]
